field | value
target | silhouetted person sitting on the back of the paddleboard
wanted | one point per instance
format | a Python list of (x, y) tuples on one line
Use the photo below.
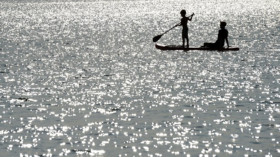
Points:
[(222, 37)]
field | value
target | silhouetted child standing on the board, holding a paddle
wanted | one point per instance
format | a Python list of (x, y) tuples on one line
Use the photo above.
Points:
[(184, 24)]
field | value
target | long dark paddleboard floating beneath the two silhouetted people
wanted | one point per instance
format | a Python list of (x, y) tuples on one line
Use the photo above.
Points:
[(179, 47)]
